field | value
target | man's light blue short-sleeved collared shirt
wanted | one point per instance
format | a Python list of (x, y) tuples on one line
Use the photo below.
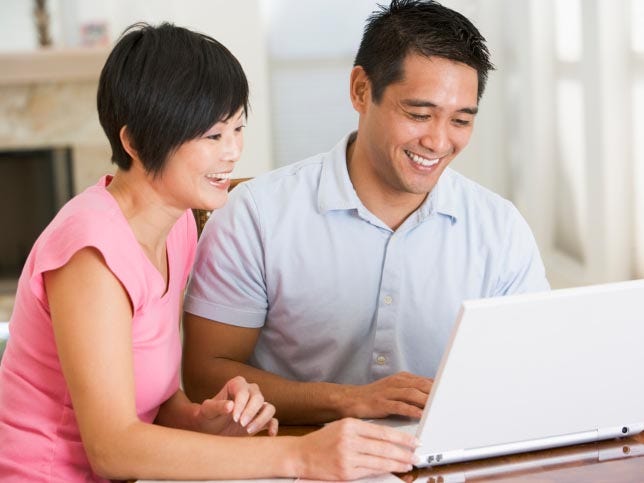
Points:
[(339, 296)]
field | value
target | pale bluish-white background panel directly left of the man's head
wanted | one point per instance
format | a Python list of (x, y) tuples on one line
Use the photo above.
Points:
[(312, 45)]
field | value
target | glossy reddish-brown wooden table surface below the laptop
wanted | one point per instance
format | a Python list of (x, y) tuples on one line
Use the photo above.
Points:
[(610, 461)]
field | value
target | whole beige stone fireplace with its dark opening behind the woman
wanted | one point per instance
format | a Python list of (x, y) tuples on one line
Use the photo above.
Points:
[(47, 112)]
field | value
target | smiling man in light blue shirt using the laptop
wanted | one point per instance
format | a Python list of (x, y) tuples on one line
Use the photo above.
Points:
[(334, 282)]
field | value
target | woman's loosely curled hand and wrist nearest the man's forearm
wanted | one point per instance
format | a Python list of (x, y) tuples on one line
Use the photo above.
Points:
[(238, 409)]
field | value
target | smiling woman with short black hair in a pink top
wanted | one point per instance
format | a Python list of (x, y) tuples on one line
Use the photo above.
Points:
[(89, 383)]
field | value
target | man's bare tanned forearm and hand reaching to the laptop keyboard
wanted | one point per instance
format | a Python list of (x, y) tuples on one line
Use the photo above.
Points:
[(215, 352)]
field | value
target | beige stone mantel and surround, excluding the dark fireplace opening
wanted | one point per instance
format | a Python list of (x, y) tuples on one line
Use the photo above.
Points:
[(48, 100)]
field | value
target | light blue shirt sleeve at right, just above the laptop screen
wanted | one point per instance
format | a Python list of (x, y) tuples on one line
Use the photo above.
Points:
[(522, 269)]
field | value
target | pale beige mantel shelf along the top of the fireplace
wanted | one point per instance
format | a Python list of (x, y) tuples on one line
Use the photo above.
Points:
[(52, 65)]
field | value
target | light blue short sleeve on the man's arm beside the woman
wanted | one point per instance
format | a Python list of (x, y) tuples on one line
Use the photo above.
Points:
[(227, 283)]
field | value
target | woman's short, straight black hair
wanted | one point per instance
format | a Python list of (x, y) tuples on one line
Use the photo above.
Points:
[(168, 85)]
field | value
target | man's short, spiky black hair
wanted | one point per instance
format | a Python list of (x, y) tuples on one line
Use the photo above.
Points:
[(422, 27)]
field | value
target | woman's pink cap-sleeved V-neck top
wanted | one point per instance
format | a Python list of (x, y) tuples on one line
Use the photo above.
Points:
[(39, 436)]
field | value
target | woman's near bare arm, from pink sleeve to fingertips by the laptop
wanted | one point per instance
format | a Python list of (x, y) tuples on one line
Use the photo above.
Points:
[(92, 318)]
